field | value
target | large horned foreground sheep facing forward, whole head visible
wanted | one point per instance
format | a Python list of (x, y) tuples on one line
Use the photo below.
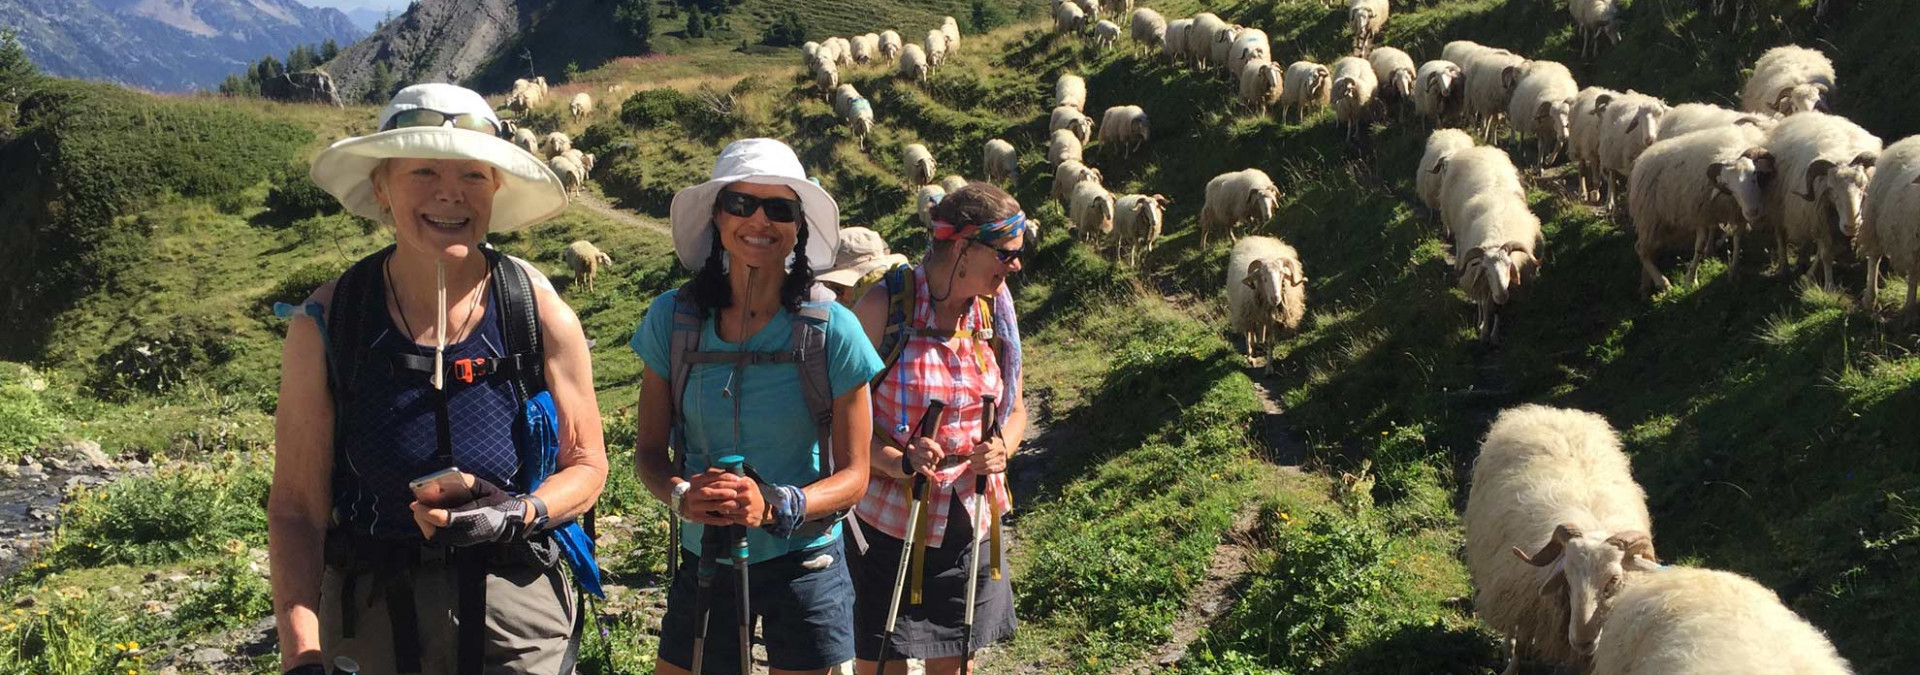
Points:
[(1552, 482)]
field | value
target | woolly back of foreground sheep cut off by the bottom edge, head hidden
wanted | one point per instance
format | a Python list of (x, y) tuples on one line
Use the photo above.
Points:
[(1708, 622)]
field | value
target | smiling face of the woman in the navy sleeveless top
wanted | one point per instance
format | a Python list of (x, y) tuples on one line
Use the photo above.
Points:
[(437, 206)]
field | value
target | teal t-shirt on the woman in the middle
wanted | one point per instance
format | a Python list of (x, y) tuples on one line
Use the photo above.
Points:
[(777, 434)]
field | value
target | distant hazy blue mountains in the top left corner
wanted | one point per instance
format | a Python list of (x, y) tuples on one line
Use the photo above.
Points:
[(166, 45)]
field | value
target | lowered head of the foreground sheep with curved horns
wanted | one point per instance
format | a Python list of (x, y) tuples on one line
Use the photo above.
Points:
[(1589, 570)]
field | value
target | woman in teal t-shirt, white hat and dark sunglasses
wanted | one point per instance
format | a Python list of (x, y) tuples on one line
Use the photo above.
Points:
[(727, 342)]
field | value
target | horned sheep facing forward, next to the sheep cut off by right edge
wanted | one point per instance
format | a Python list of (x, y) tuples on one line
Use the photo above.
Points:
[(1825, 164)]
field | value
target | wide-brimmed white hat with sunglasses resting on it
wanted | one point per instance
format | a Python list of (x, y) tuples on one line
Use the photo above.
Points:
[(529, 191)]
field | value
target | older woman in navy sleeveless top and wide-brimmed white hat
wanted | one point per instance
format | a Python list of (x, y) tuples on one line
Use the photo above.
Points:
[(414, 373)]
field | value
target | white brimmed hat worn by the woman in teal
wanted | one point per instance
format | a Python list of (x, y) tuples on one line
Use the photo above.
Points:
[(759, 162)]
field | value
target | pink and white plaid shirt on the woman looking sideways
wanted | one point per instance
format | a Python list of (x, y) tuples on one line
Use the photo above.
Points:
[(959, 373)]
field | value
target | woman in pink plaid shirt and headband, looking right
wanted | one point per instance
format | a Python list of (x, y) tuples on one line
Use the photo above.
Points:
[(949, 354)]
